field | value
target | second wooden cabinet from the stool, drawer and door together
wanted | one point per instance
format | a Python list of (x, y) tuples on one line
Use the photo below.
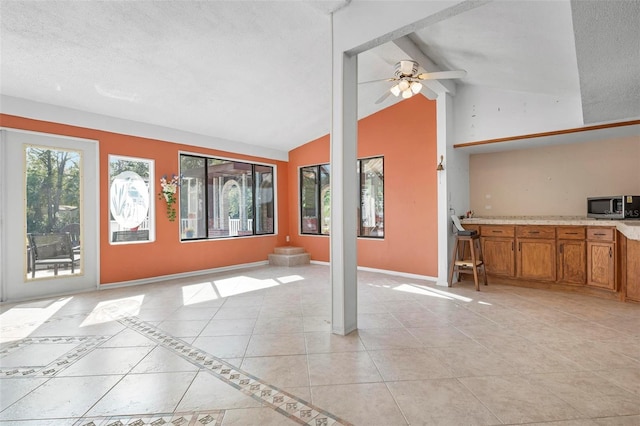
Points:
[(536, 255)]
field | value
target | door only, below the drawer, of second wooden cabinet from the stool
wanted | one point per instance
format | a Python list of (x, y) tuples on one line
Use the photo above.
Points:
[(536, 259)]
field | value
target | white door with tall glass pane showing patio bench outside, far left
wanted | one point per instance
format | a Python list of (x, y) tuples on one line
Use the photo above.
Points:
[(49, 211)]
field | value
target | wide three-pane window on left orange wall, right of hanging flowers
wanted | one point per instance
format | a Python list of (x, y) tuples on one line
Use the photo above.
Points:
[(225, 198)]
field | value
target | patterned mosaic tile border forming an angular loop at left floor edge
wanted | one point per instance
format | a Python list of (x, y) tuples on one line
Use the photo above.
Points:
[(85, 345)]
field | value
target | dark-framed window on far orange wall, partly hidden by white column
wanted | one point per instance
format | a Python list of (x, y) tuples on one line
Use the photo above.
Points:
[(315, 198)]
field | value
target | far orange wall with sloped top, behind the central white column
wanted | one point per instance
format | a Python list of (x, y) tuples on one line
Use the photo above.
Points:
[(405, 134)]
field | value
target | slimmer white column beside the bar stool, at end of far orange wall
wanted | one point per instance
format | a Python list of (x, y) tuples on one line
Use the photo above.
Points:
[(443, 120)]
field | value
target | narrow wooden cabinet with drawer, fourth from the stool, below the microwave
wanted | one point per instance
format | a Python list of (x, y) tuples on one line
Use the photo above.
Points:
[(601, 266)]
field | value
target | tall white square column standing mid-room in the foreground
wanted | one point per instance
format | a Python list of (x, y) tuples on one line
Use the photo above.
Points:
[(344, 193)]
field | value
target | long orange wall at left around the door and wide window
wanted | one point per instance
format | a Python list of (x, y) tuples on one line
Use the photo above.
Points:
[(166, 255)]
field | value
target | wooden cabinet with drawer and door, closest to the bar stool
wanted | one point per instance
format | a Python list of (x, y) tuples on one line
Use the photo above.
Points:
[(498, 249)]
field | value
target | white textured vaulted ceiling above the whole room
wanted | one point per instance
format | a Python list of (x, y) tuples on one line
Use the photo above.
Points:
[(259, 72)]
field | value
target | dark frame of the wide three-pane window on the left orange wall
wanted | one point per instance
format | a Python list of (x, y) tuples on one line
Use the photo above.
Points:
[(208, 202)]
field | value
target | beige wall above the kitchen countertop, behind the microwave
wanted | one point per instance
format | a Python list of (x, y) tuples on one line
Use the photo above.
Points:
[(553, 180)]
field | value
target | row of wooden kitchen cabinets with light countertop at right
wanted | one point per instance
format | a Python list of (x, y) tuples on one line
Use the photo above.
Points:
[(596, 257)]
